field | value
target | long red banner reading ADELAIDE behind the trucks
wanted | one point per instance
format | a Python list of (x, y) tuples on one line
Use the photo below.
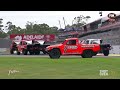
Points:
[(50, 37)]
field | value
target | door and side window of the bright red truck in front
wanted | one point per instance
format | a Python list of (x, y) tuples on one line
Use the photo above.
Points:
[(71, 47)]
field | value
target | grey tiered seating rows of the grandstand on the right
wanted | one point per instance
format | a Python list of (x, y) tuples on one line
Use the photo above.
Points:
[(112, 37)]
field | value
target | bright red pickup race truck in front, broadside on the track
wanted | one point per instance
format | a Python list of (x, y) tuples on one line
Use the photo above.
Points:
[(73, 46)]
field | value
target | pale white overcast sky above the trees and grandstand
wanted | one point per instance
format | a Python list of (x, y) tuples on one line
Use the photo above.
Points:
[(20, 18)]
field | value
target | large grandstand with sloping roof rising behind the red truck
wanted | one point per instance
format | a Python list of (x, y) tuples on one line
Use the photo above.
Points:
[(99, 29)]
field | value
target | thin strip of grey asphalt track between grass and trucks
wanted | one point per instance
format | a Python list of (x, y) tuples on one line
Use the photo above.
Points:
[(110, 56)]
